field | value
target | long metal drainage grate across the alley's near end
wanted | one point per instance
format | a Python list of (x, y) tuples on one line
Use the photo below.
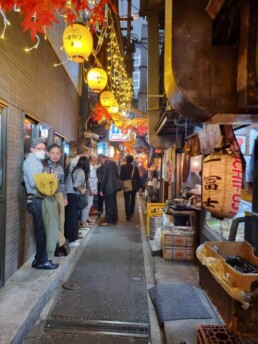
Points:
[(104, 327)]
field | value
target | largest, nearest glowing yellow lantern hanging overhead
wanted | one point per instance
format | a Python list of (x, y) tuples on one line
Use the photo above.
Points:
[(78, 42)]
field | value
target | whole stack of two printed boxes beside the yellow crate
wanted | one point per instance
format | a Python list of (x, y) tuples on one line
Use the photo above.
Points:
[(178, 243)]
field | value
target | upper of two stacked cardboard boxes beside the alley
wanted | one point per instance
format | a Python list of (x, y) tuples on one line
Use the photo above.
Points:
[(178, 236)]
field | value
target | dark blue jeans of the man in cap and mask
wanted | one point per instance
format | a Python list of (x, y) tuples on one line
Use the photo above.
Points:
[(34, 208)]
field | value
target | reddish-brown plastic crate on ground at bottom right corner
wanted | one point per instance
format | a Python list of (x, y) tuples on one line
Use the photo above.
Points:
[(216, 334)]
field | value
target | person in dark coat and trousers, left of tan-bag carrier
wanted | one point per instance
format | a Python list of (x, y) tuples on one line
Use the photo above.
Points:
[(109, 185)]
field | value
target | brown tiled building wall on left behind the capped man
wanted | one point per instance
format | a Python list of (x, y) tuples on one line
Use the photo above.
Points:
[(29, 84)]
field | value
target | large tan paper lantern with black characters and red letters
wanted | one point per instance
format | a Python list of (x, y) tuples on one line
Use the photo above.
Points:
[(222, 183)]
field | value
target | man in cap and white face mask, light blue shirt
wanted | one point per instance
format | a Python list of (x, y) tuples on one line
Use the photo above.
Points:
[(31, 166)]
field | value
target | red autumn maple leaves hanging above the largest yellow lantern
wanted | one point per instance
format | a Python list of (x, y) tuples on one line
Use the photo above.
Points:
[(38, 15)]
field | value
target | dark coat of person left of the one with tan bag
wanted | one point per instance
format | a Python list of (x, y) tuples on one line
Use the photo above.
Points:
[(110, 181)]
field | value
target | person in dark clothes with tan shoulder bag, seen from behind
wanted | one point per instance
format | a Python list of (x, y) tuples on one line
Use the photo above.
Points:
[(130, 171)]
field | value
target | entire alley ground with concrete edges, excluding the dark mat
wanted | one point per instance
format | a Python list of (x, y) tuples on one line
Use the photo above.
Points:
[(99, 293)]
